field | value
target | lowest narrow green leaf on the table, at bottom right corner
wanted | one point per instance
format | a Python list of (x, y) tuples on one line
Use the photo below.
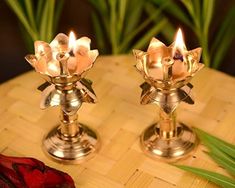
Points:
[(219, 179)]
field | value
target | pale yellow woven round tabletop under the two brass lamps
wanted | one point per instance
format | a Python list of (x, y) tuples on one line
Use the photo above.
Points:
[(119, 119)]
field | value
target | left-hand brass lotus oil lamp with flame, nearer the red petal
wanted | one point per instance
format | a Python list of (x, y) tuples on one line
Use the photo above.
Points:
[(62, 63)]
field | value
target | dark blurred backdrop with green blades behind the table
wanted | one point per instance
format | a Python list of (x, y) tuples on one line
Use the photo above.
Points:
[(118, 26)]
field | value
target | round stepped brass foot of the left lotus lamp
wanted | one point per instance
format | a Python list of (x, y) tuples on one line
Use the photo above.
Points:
[(75, 150)]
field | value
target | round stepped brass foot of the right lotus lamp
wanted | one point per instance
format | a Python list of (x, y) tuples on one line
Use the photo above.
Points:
[(169, 150)]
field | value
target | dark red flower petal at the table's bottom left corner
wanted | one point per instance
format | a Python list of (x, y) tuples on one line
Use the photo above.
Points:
[(31, 173)]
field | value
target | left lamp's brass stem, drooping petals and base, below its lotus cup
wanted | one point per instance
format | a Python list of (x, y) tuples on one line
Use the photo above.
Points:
[(71, 142)]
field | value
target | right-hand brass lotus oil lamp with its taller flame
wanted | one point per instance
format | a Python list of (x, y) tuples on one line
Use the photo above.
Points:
[(167, 72)]
